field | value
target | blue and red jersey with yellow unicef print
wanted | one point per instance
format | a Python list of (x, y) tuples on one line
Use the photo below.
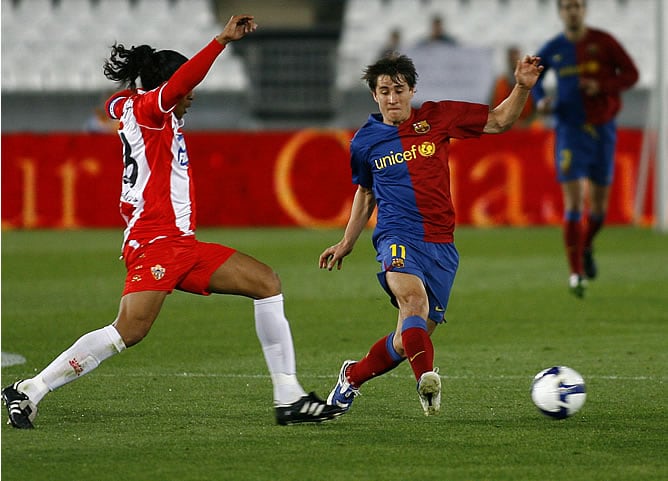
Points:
[(407, 167)]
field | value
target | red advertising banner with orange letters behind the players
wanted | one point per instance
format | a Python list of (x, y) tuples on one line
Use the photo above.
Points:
[(299, 178)]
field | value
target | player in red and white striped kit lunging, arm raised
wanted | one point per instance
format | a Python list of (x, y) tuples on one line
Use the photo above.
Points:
[(160, 249)]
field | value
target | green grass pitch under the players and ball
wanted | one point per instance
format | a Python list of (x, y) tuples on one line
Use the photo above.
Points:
[(193, 400)]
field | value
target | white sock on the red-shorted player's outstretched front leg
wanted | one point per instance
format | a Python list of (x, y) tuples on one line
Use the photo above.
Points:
[(273, 331)]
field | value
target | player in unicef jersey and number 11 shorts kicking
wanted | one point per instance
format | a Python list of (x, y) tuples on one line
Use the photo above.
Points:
[(399, 161)]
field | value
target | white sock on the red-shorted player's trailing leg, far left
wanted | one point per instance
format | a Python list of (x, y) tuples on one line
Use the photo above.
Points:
[(81, 358)]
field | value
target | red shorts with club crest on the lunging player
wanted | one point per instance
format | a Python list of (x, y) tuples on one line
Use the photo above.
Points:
[(185, 264)]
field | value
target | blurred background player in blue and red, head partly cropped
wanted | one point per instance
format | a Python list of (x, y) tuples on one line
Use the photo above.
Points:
[(592, 69)]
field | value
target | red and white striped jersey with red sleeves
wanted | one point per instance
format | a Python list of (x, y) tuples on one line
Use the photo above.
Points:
[(157, 194)]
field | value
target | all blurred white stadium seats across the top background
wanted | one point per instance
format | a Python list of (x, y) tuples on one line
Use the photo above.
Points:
[(87, 27)]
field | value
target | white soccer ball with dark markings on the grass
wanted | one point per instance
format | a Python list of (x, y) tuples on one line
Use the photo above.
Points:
[(558, 392)]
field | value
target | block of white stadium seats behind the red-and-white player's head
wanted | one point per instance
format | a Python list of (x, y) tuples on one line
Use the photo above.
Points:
[(73, 38)]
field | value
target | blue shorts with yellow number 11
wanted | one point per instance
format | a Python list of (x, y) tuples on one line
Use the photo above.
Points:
[(434, 263)]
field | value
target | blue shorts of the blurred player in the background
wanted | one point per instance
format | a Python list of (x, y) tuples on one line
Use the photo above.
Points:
[(586, 151)]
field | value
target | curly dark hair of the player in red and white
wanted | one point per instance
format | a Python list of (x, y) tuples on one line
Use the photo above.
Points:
[(144, 62)]
